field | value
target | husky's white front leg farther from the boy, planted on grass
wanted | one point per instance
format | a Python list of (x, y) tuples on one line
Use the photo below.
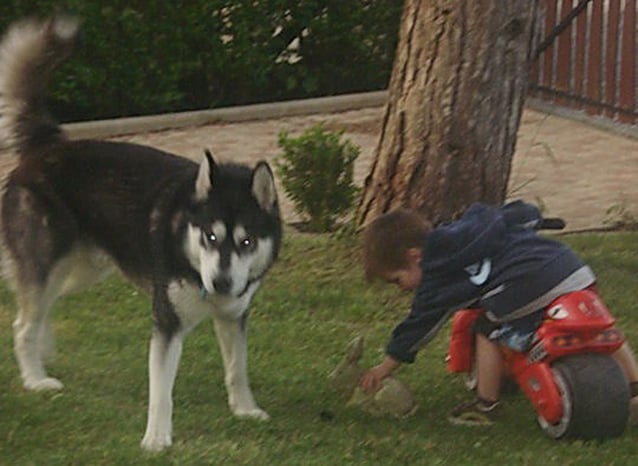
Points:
[(164, 355)]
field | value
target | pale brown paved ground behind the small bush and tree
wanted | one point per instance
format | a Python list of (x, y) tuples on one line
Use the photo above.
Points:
[(575, 170)]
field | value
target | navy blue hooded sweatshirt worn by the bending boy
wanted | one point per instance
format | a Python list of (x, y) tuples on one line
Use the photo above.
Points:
[(491, 258)]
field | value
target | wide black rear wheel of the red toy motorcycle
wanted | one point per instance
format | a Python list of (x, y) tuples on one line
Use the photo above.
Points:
[(595, 396)]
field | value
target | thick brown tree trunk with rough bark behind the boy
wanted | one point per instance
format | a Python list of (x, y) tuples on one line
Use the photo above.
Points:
[(455, 100)]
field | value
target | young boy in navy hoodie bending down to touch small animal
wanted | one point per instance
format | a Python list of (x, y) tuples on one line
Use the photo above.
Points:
[(491, 257)]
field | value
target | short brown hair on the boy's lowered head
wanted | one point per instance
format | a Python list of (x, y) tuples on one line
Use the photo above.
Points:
[(387, 238)]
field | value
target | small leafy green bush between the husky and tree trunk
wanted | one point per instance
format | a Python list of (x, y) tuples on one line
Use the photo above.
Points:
[(316, 171)]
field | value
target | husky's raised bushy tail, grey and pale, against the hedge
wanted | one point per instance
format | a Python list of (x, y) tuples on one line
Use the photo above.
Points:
[(29, 52)]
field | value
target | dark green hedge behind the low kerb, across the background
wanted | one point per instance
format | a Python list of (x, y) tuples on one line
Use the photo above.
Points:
[(138, 57)]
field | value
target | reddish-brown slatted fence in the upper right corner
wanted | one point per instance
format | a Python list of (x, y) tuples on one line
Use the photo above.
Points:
[(586, 57)]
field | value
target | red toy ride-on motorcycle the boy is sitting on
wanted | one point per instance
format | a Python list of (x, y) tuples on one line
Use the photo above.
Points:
[(576, 387)]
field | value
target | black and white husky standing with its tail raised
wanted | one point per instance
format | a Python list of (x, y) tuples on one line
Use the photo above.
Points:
[(198, 238)]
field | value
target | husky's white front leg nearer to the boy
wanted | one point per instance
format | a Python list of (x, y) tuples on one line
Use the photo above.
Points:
[(231, 335)]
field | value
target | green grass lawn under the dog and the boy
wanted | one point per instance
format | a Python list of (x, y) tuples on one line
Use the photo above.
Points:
[(314, 301)]
